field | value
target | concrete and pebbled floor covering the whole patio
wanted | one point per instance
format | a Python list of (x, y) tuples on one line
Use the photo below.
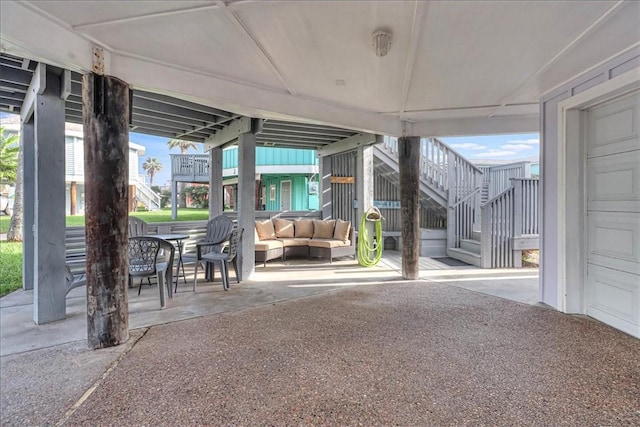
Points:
[(311, 343)]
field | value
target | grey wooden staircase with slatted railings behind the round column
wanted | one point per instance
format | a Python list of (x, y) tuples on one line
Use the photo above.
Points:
[(492, 214)]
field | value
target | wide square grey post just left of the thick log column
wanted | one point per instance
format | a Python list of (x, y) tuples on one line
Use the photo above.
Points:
[(49, 290)]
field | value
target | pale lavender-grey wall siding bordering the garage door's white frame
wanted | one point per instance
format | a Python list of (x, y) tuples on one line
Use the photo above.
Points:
[(551, 168)]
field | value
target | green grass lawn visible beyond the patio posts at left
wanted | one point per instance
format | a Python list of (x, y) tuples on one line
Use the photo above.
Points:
[(11, 253)]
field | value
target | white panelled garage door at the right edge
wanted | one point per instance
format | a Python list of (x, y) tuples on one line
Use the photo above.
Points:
[(613, 213)]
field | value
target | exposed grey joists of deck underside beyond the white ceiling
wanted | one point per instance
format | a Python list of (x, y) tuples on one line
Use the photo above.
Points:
[(166, 116)]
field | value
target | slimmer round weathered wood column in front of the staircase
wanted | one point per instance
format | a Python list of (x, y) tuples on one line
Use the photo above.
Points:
[(409, 162)]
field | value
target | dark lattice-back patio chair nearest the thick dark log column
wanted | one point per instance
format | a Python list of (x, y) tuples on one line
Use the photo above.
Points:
[(150, 256)]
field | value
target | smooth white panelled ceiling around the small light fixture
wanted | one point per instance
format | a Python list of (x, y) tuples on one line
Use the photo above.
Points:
[(455, 67)]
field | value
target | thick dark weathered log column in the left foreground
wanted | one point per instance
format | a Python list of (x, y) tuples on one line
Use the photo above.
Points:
[(105, 102)]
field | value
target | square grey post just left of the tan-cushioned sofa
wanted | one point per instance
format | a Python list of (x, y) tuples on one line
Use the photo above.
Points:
[(247, 202)]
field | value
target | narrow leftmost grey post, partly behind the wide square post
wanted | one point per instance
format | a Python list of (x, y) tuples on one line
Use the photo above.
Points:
[(28, 136)]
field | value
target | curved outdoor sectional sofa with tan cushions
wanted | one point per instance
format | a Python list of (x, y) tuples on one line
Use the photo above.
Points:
[(309, 238)]
